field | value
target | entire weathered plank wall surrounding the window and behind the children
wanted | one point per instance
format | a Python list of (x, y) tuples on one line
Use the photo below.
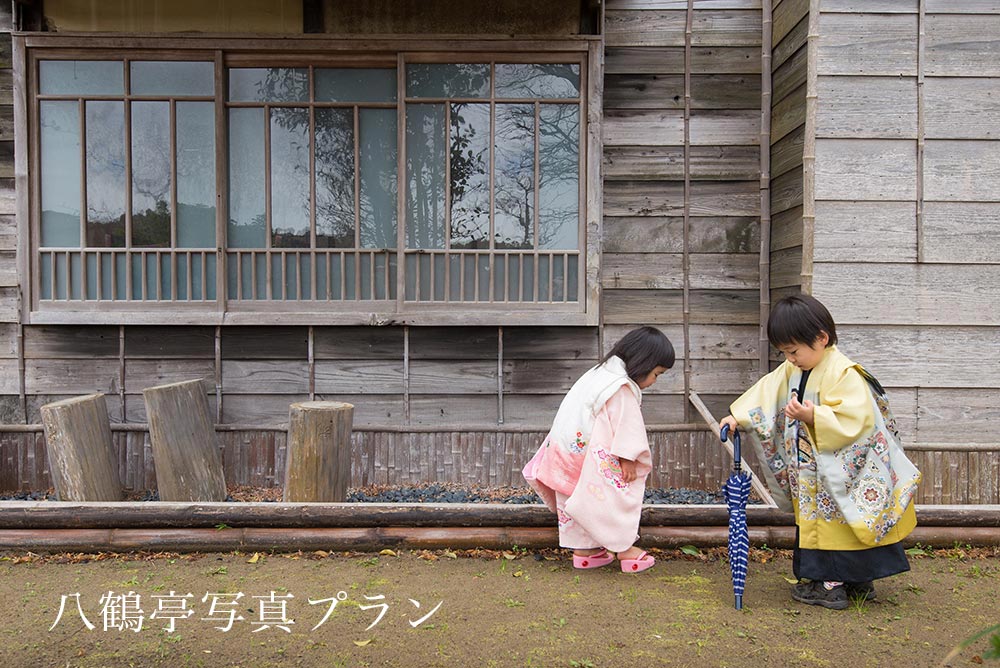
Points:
[(900, 146)]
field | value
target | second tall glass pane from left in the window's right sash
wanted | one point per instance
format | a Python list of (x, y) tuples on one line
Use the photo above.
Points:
[(469, 149)]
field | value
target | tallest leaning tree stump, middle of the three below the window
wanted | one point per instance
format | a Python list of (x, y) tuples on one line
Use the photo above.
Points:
[(185, 453)]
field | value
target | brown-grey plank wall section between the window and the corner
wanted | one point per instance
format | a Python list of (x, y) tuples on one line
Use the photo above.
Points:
[(682, 107)]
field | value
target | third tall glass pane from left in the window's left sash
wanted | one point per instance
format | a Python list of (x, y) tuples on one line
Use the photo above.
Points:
[(151, 174)]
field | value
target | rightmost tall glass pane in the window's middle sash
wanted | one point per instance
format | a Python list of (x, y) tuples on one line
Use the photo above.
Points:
[(378, 178)]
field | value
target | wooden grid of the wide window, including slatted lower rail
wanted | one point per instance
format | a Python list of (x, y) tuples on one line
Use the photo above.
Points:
[(414, 285)]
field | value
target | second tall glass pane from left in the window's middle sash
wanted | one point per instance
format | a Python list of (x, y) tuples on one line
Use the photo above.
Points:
[(290, 178)]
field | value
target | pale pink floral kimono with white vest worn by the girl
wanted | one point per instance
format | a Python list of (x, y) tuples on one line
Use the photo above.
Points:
[(576, 470)]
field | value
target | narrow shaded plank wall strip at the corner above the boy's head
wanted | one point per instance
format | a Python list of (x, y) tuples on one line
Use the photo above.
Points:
[(788, 130)]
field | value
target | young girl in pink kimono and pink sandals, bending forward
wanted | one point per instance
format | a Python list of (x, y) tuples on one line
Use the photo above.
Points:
[(591, 469)]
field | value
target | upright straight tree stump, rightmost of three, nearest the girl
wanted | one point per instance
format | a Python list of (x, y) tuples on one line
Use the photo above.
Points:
[(318, 459)]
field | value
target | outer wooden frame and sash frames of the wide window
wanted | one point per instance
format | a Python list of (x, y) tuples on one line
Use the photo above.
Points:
[(497, 308)]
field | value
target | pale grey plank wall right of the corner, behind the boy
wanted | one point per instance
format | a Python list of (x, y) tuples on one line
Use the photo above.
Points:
[(907, 227)]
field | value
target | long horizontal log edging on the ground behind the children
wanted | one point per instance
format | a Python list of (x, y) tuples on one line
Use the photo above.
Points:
[(55, 526)]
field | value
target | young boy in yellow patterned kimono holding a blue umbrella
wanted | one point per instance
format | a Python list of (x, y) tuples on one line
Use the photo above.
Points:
[(829, 449)]
